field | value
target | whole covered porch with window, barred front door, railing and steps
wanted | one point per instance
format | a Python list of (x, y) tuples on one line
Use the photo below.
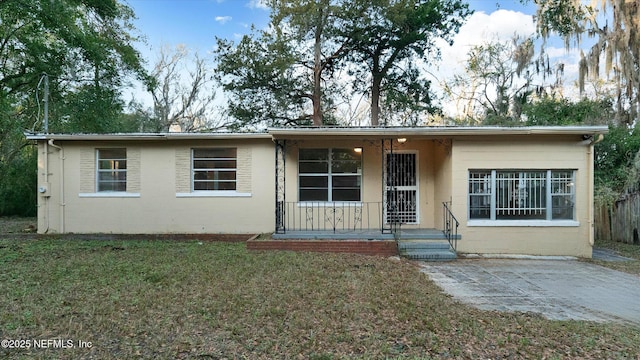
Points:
[(365, 184)]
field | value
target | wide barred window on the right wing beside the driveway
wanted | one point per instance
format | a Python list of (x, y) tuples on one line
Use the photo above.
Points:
[(521, 194)]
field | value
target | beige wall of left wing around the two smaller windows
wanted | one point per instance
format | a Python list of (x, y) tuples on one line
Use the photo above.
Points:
[(158, 198)]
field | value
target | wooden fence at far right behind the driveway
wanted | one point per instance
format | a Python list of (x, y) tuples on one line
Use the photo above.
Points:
[(620, 221)]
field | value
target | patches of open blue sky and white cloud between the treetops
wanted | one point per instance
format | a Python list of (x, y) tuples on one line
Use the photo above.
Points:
[(196, 23)]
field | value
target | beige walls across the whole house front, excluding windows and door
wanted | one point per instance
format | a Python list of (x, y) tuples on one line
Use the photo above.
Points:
[(159, 199)]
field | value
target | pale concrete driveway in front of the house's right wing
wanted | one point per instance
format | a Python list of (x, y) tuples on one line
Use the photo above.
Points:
[(557, 289)]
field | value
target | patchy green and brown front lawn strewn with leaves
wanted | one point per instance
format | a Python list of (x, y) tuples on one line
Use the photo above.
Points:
[(161, 299)]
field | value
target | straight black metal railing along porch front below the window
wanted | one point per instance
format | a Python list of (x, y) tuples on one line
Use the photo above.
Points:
[(330, 216)]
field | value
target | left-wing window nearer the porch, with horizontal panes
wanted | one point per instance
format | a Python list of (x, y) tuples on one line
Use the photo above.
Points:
[(214, 169)]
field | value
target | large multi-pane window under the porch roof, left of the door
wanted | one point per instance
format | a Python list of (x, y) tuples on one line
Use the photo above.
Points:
[(329, 174)]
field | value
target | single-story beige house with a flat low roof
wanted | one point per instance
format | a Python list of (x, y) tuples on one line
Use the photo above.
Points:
[(497, 190)]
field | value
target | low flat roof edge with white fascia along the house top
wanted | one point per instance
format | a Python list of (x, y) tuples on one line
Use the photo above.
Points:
[(366, 132)]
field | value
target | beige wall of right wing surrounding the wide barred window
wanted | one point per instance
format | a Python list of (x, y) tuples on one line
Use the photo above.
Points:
[(524, 153)]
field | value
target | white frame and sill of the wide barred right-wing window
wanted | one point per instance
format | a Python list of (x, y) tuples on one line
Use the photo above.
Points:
[(489, 187)]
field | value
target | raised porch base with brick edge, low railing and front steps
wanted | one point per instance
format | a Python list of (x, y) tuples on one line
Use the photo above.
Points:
[(361, 228)]
